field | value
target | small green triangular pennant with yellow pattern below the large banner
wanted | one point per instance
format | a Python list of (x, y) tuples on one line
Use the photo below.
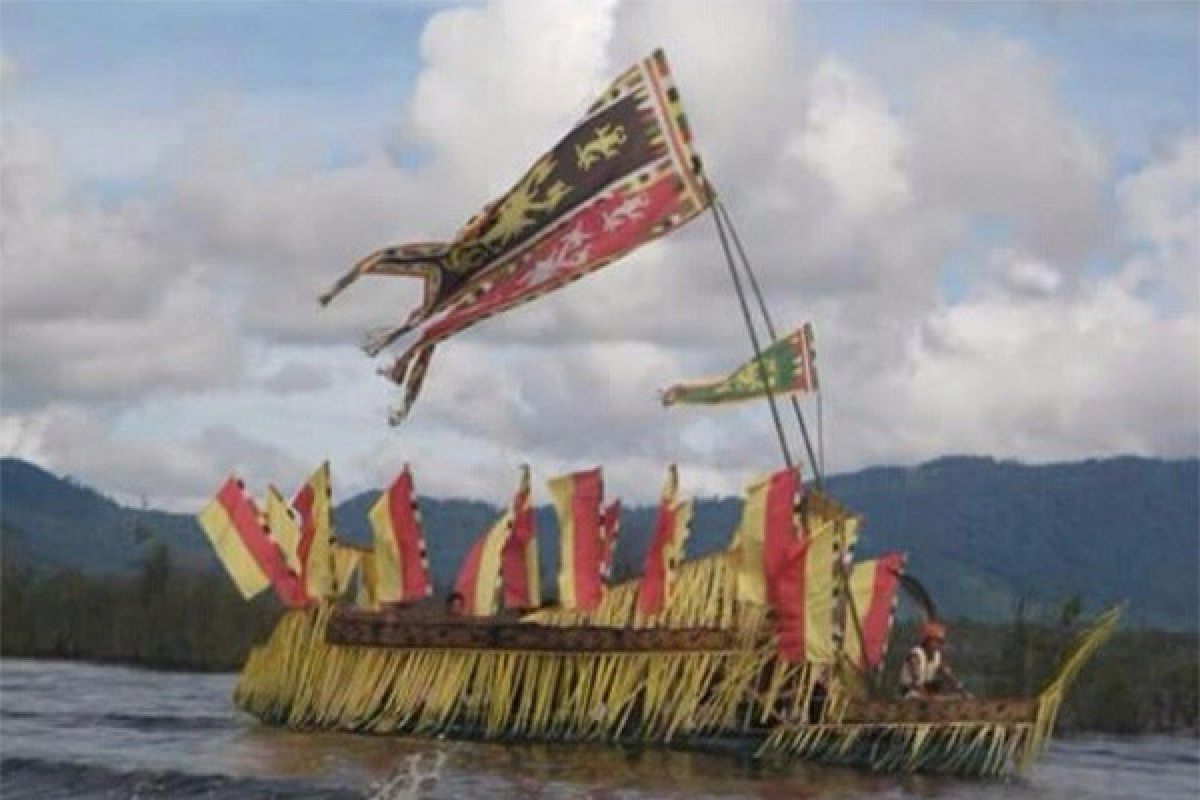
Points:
[(788, 365)]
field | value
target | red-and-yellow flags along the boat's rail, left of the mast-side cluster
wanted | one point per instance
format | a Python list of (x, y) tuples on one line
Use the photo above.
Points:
[(293, 549)]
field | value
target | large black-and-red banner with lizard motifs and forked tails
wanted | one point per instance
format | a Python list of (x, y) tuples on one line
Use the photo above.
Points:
[(623, 177)]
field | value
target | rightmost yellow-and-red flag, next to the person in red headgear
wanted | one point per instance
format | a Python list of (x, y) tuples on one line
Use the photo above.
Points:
[(873, 587)]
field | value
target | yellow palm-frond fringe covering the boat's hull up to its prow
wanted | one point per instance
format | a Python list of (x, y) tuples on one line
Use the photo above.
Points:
[(299, 681)]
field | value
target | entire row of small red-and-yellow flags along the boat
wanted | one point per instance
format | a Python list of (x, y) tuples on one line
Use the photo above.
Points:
[(794, 554)]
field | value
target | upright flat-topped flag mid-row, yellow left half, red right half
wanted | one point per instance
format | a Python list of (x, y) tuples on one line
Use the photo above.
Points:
[(578, 500)]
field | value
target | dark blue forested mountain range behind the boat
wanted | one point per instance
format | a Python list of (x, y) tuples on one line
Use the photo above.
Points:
[(980, 533)]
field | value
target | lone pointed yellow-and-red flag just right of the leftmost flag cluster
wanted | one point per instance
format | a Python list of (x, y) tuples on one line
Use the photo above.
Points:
[(403, 568)]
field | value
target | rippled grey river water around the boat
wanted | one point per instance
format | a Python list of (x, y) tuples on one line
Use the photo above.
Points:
[(81, 731)]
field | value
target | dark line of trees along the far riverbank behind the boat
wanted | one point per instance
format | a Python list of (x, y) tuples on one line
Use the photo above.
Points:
[(171, 618)]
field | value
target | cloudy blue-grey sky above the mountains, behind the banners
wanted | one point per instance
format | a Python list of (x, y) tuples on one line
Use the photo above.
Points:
[(991, 214)]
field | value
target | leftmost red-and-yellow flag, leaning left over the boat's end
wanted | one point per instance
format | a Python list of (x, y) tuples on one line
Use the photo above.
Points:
[(235, 526)]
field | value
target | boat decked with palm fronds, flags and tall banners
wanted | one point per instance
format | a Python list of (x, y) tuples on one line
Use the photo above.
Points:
[(772, 647)]
